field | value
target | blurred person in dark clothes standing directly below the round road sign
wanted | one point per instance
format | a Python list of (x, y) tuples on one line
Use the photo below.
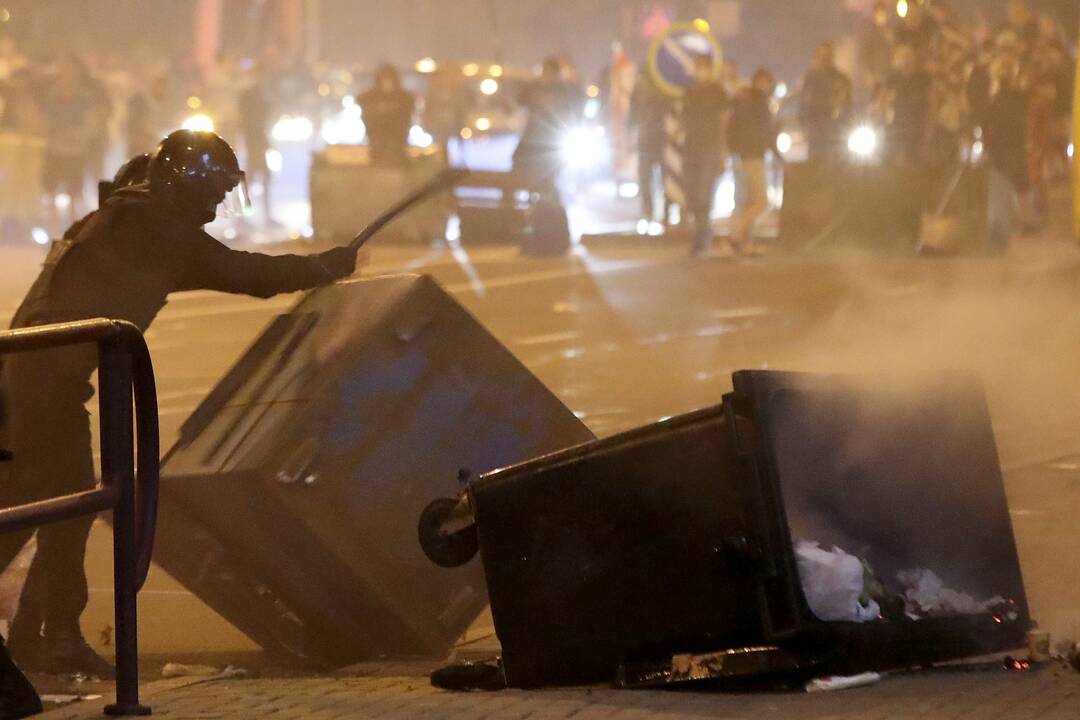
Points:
[(706, 108)]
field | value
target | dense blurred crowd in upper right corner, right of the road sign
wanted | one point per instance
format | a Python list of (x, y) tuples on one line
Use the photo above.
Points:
[(942, 87)]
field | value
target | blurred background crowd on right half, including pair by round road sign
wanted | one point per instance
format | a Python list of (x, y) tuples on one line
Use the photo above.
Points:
[(939, 93)]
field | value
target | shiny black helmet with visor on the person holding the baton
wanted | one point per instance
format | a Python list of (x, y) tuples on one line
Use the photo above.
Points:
[(195, 171)]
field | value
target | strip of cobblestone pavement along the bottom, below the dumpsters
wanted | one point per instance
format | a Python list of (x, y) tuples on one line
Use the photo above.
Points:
[(1049, 694)]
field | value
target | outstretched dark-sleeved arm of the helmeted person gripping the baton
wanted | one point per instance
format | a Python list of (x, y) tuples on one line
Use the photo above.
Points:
[(205, 264)]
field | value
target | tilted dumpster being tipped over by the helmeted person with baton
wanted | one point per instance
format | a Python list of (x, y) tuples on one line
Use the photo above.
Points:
[(289, 504)]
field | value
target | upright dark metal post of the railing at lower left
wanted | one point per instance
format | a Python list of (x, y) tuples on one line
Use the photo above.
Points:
[(118, 468)]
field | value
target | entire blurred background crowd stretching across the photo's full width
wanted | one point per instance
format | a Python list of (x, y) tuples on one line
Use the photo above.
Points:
[(941, 88)]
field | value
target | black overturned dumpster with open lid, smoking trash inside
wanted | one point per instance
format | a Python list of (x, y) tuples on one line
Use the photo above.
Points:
[(811, 524)]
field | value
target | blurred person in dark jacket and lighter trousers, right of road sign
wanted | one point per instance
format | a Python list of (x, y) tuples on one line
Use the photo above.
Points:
[(751, 135)]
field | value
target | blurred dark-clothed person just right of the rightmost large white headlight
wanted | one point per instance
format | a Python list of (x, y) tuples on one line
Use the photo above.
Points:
[(911, 96)]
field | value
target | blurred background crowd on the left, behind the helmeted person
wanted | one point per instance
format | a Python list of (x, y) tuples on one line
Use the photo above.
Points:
[(93, 110)]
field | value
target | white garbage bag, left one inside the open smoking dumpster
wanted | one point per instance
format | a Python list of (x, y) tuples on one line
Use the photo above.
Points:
[(833, 583)]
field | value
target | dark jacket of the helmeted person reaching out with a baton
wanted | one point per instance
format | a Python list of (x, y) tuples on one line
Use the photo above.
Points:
[(124, 261)]
